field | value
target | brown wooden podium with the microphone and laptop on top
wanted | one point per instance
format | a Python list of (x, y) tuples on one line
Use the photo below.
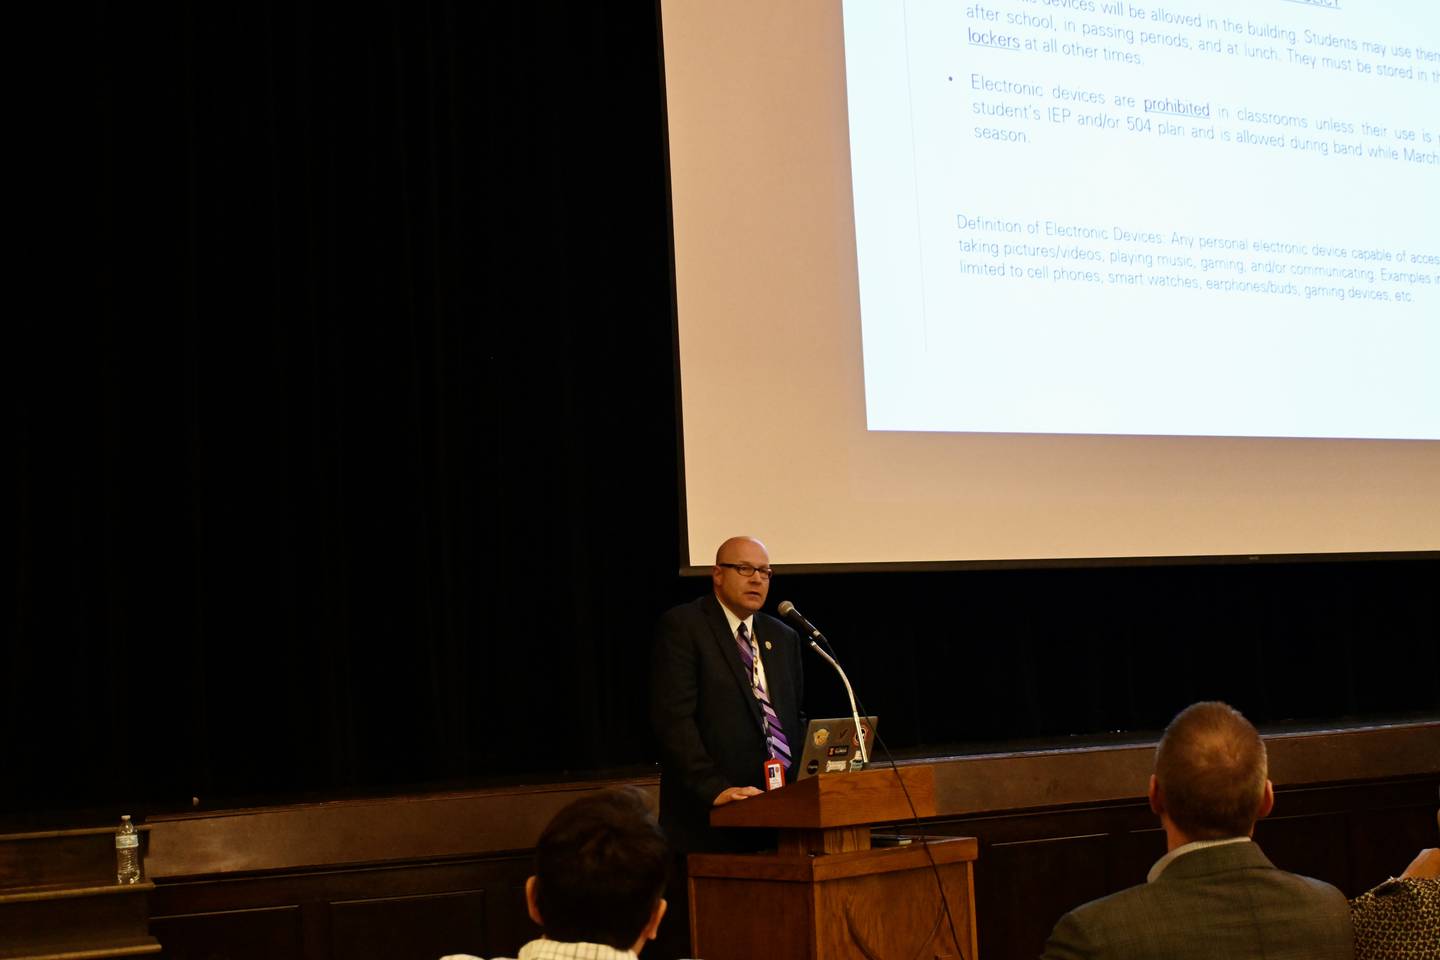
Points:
[(827, 895)]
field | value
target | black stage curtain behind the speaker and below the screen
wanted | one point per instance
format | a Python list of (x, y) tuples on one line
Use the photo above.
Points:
[(346, 448)]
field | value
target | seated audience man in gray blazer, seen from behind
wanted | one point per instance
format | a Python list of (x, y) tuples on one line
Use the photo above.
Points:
[(1215, 895)]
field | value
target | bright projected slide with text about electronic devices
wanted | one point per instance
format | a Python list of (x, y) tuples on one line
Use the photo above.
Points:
[(1184, 219)]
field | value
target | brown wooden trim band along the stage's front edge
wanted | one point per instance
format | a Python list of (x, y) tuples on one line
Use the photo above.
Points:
[(508, 821)]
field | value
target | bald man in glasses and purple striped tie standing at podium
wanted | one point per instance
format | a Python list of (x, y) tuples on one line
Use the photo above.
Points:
[(726, 686)]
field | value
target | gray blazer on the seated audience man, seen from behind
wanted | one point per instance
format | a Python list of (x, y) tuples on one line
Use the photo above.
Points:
[(1216, 903)]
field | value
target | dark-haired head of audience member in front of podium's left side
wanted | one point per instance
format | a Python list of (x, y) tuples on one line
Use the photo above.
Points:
[(601, 871)]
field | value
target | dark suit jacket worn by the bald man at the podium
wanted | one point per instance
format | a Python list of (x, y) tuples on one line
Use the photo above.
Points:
[(708, 720)]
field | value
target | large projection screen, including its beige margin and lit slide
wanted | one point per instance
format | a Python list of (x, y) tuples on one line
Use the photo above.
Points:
[(1056, 280)]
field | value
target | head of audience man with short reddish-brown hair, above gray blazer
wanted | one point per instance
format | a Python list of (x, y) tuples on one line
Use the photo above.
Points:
[(1210, 775)]
